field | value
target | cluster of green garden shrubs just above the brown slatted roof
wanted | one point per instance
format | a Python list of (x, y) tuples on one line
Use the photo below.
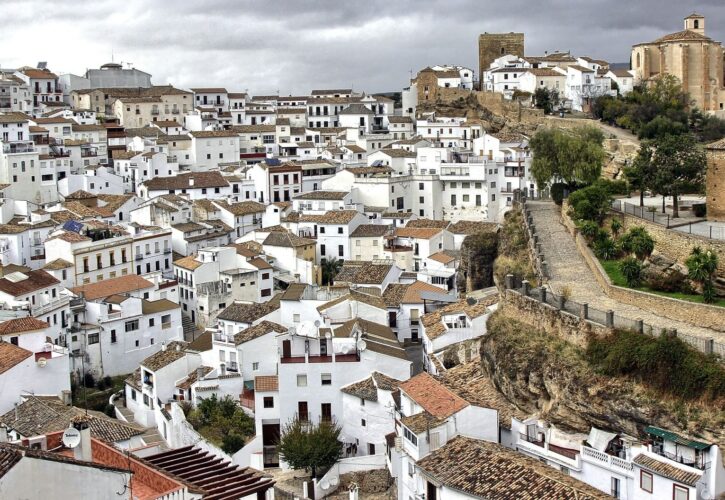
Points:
[(221, 421)]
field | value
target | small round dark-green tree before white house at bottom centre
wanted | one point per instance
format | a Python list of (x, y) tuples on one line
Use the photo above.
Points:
[(313, 447)]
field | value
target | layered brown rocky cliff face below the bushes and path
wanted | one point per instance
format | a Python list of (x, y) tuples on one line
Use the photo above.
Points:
[(542, 374)]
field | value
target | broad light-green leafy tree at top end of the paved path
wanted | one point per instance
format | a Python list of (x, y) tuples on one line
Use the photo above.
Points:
[(573, 156)]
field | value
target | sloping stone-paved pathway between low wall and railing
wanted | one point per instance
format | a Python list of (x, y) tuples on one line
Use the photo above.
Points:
[(568, 268)]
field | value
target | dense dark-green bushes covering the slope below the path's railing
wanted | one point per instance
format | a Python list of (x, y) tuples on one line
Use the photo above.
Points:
[(665, 363)]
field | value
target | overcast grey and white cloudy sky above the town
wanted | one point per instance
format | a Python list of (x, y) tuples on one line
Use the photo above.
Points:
[(293, 46)]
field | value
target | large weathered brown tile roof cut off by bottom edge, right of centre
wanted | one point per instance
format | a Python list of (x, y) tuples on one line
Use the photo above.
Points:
[(489, 470)]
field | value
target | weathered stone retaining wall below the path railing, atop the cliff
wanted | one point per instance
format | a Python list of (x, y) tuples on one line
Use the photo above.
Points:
[(553, 321)]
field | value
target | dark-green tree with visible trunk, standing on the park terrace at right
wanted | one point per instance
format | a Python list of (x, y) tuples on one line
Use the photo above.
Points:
[(679, 164)]
